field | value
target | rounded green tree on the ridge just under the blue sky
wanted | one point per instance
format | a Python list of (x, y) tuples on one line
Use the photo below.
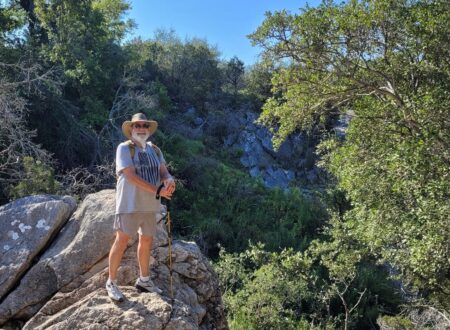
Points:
[(188, 69)]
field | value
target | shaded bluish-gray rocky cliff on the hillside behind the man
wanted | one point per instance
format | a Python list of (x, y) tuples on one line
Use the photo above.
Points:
[(294, 163)]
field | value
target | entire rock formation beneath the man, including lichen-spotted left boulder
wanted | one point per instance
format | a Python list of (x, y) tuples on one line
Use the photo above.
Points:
[(53, 268)]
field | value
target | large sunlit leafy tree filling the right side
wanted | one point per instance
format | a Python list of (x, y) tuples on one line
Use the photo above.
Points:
[(382, 63)]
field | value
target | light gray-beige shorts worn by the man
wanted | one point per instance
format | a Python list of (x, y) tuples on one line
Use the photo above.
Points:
[(130, 223)]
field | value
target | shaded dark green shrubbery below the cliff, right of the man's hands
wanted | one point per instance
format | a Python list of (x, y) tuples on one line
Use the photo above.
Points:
[(220, 204)]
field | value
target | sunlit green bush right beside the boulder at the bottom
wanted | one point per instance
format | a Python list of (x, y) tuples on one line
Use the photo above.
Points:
[(268, 290)]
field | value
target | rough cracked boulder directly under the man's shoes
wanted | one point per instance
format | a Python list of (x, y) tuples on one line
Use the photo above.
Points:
[(84, 302)]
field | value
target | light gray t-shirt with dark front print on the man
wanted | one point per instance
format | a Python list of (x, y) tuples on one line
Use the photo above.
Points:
[(129, 197)]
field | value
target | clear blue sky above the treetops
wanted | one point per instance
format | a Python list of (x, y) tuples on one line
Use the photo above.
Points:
[(224, 24)]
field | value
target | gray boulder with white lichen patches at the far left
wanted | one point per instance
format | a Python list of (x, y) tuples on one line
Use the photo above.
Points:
[(26, 226)]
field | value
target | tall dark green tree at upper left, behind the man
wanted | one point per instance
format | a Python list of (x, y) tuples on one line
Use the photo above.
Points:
[(79, 42)]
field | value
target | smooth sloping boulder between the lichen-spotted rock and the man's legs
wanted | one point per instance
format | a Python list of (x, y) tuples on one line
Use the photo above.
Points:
[(80, 244)]
